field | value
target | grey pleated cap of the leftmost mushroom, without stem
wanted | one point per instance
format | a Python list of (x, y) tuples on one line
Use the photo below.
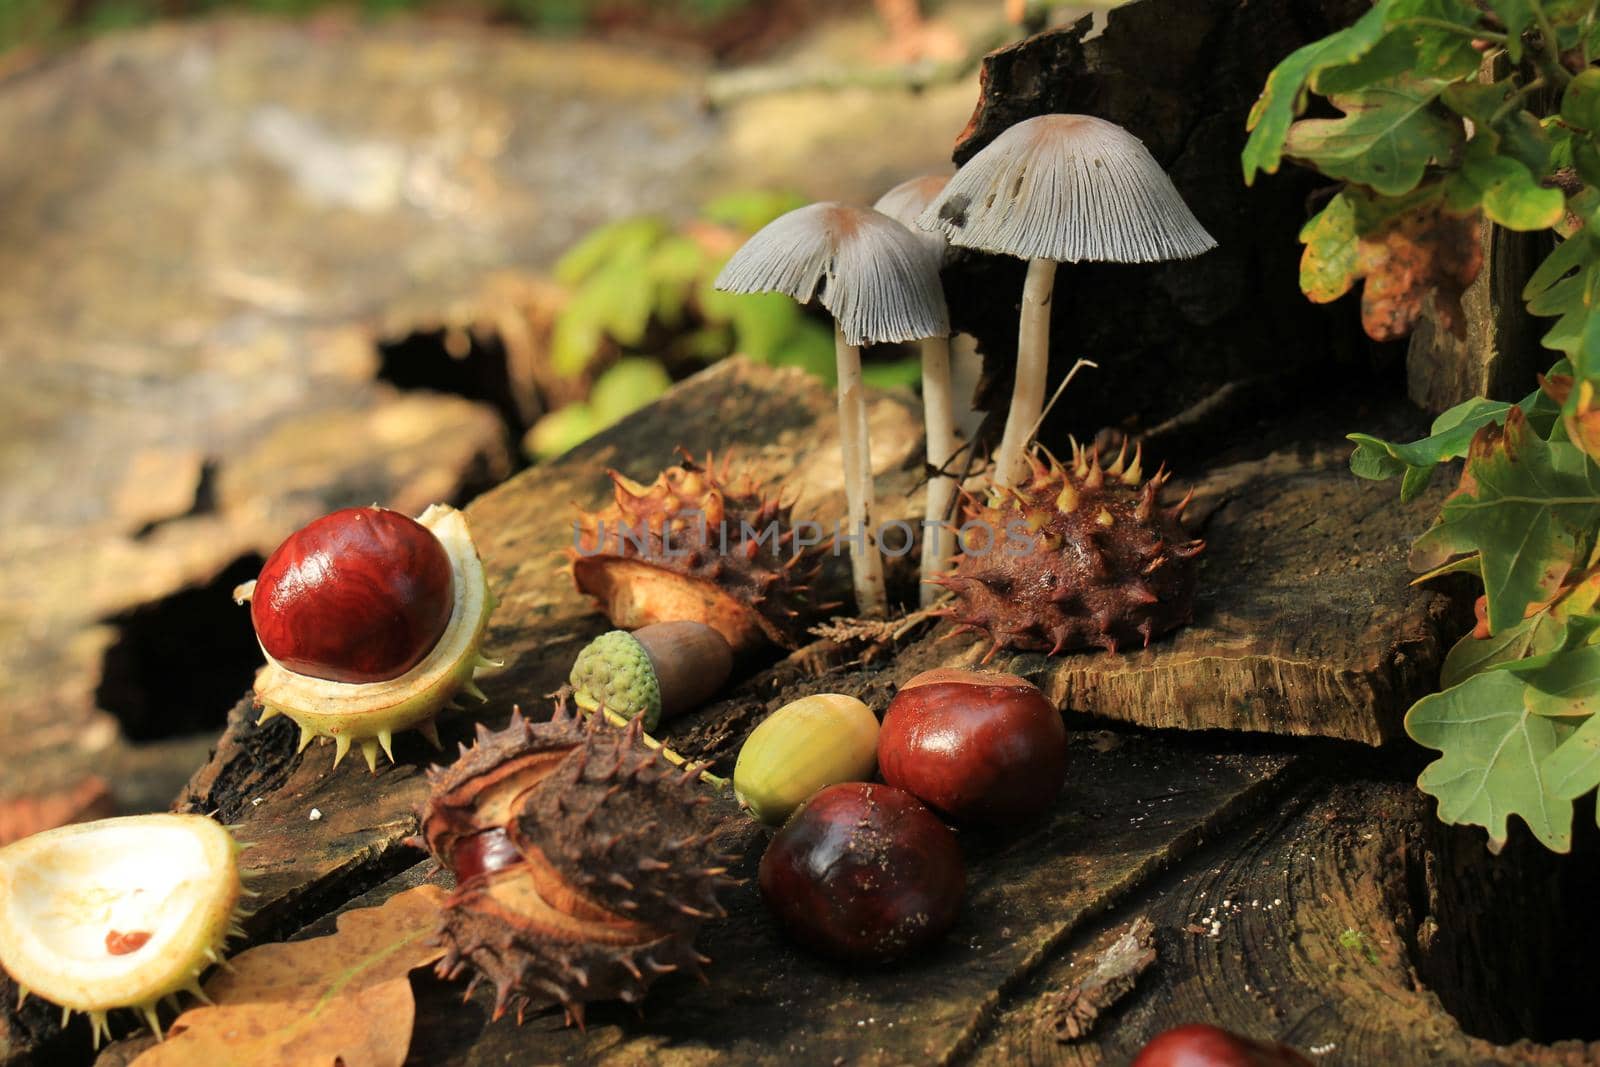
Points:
[(879, 281)]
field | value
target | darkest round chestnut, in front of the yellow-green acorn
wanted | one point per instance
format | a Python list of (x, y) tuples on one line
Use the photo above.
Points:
[(863, 873)]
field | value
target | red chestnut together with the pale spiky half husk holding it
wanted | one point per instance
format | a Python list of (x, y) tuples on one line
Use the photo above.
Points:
[(372, 623)]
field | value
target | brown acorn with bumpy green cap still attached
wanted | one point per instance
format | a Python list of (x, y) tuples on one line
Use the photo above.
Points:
[(655, 673)]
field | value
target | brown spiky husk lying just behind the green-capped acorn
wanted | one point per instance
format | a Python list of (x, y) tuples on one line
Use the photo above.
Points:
[(687, 557)]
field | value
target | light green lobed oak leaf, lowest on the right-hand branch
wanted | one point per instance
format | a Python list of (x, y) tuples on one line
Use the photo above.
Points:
[(1492, 764)]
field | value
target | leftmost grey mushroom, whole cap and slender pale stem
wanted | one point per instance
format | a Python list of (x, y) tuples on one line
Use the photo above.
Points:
[(881, 284)]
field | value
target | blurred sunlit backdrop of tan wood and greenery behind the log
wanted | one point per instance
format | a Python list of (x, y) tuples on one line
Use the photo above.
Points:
[(270, 258)]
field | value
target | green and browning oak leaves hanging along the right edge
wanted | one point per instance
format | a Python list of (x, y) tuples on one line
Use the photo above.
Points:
[(1425, 134)]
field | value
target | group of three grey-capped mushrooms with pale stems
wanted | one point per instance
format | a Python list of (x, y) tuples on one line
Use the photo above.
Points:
[(1050, 190)]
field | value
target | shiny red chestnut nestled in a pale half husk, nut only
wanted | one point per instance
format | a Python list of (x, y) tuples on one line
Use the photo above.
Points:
[(359, 596)]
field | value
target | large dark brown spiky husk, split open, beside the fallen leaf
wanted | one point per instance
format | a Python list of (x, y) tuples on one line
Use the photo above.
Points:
[(582, 871)]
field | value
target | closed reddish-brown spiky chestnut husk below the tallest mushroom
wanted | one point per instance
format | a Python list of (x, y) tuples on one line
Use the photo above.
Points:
[(1110, 565)]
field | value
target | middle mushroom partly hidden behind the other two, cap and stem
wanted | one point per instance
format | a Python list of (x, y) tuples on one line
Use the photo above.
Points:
[(905, 204)]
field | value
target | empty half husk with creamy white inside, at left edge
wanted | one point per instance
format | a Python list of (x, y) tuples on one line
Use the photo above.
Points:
[(119, 914)]
